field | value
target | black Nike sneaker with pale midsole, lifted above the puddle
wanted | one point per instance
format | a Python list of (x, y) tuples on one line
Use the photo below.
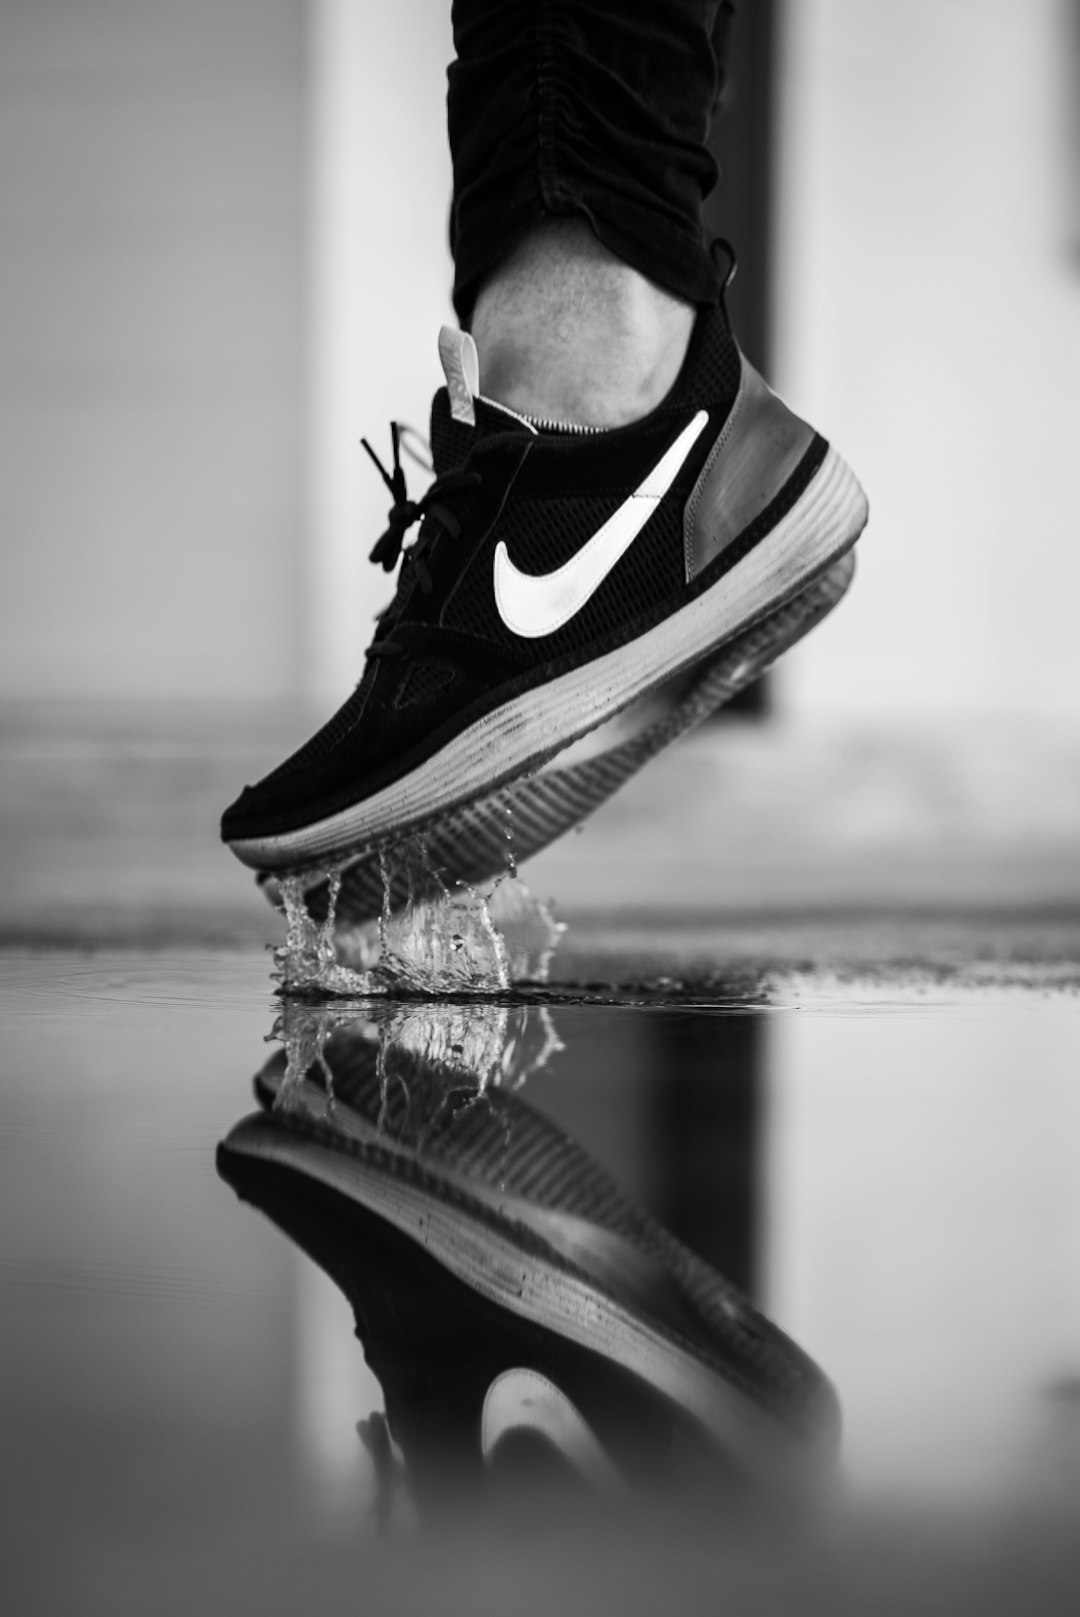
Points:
[(557, 578)]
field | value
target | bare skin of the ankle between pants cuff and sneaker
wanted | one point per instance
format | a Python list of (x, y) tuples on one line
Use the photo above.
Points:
[(568, 332)]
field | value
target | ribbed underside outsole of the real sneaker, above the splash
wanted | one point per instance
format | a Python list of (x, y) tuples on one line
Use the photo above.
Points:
[(470, 845)]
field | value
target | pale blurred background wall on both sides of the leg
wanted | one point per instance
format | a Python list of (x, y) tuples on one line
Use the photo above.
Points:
[(224, 258)]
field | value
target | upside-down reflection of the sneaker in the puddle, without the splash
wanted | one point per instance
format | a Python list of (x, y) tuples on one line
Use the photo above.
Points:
[(505, 1226)]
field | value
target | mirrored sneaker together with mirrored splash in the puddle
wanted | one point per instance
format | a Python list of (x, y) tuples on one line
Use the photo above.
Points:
[(520, 1311)]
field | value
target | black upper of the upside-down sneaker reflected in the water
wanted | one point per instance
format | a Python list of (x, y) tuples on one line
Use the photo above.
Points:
[(436, 1345)]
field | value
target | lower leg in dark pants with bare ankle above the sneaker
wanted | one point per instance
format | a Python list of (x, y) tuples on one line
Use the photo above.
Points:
[(578, 137)]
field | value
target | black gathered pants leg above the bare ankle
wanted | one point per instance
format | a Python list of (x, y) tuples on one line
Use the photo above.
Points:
[(597, 109)]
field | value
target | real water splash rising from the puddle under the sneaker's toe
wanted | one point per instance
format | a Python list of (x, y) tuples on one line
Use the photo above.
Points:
[(434, 940)]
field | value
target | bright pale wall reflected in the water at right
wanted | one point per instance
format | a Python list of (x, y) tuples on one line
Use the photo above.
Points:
[(922, 1230)]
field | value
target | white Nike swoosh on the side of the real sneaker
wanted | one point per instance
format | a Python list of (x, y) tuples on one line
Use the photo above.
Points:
[(534, 606)]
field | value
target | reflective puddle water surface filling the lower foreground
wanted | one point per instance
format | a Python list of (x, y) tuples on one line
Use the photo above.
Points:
[(630, 1194)]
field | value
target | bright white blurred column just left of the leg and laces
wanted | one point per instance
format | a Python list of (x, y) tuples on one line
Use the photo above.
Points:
[(381, 279)]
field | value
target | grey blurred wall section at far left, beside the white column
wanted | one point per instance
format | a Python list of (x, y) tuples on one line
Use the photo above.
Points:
[(153, 334)]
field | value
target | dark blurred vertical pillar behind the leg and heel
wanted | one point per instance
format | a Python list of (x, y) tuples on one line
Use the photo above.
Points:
[(741, 208)]
